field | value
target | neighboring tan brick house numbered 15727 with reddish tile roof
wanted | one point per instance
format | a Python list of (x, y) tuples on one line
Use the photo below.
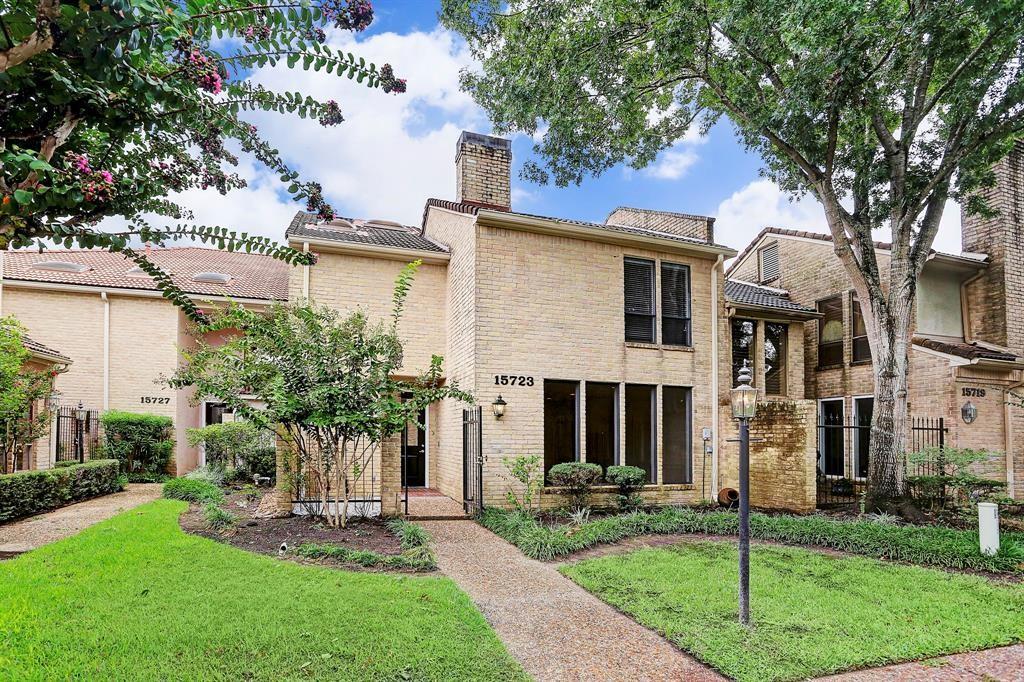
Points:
[(109, 318)]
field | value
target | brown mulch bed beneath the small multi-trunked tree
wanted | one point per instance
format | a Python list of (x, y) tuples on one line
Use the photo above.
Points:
[(265, 536)]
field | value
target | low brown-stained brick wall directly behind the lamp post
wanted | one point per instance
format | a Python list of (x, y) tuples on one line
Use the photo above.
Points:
[(783, 463)]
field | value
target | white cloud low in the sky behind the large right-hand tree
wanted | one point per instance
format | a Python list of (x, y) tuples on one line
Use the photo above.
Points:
[(762, 204)]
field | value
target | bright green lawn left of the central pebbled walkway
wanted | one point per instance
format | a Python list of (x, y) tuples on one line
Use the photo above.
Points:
[(137, 599)]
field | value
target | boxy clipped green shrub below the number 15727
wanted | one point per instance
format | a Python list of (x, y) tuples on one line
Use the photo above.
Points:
[(142, 443)]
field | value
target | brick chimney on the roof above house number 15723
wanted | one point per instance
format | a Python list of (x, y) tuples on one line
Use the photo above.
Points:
[(484, 172)]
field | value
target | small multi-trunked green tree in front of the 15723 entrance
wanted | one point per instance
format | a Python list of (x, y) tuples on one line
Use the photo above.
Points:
[(324, 383)]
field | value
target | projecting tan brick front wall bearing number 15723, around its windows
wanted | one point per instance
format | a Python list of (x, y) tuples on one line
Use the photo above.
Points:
[(551, 308)]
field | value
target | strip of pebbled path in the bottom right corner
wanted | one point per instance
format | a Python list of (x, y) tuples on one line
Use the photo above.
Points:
[(1005, 664)]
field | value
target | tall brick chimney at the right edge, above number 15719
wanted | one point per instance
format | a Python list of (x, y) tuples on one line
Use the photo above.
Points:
[(997, 300)]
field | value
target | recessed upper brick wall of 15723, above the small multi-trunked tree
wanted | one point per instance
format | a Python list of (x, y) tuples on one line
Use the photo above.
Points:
[(347, 282)]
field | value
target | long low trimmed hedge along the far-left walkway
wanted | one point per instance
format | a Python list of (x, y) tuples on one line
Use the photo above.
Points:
[(28, 493)]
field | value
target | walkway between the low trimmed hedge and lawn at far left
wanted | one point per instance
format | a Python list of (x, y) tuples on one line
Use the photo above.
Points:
[(46, 529)]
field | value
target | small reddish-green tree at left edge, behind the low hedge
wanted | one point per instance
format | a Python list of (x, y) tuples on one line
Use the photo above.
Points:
[(24, 416)]
